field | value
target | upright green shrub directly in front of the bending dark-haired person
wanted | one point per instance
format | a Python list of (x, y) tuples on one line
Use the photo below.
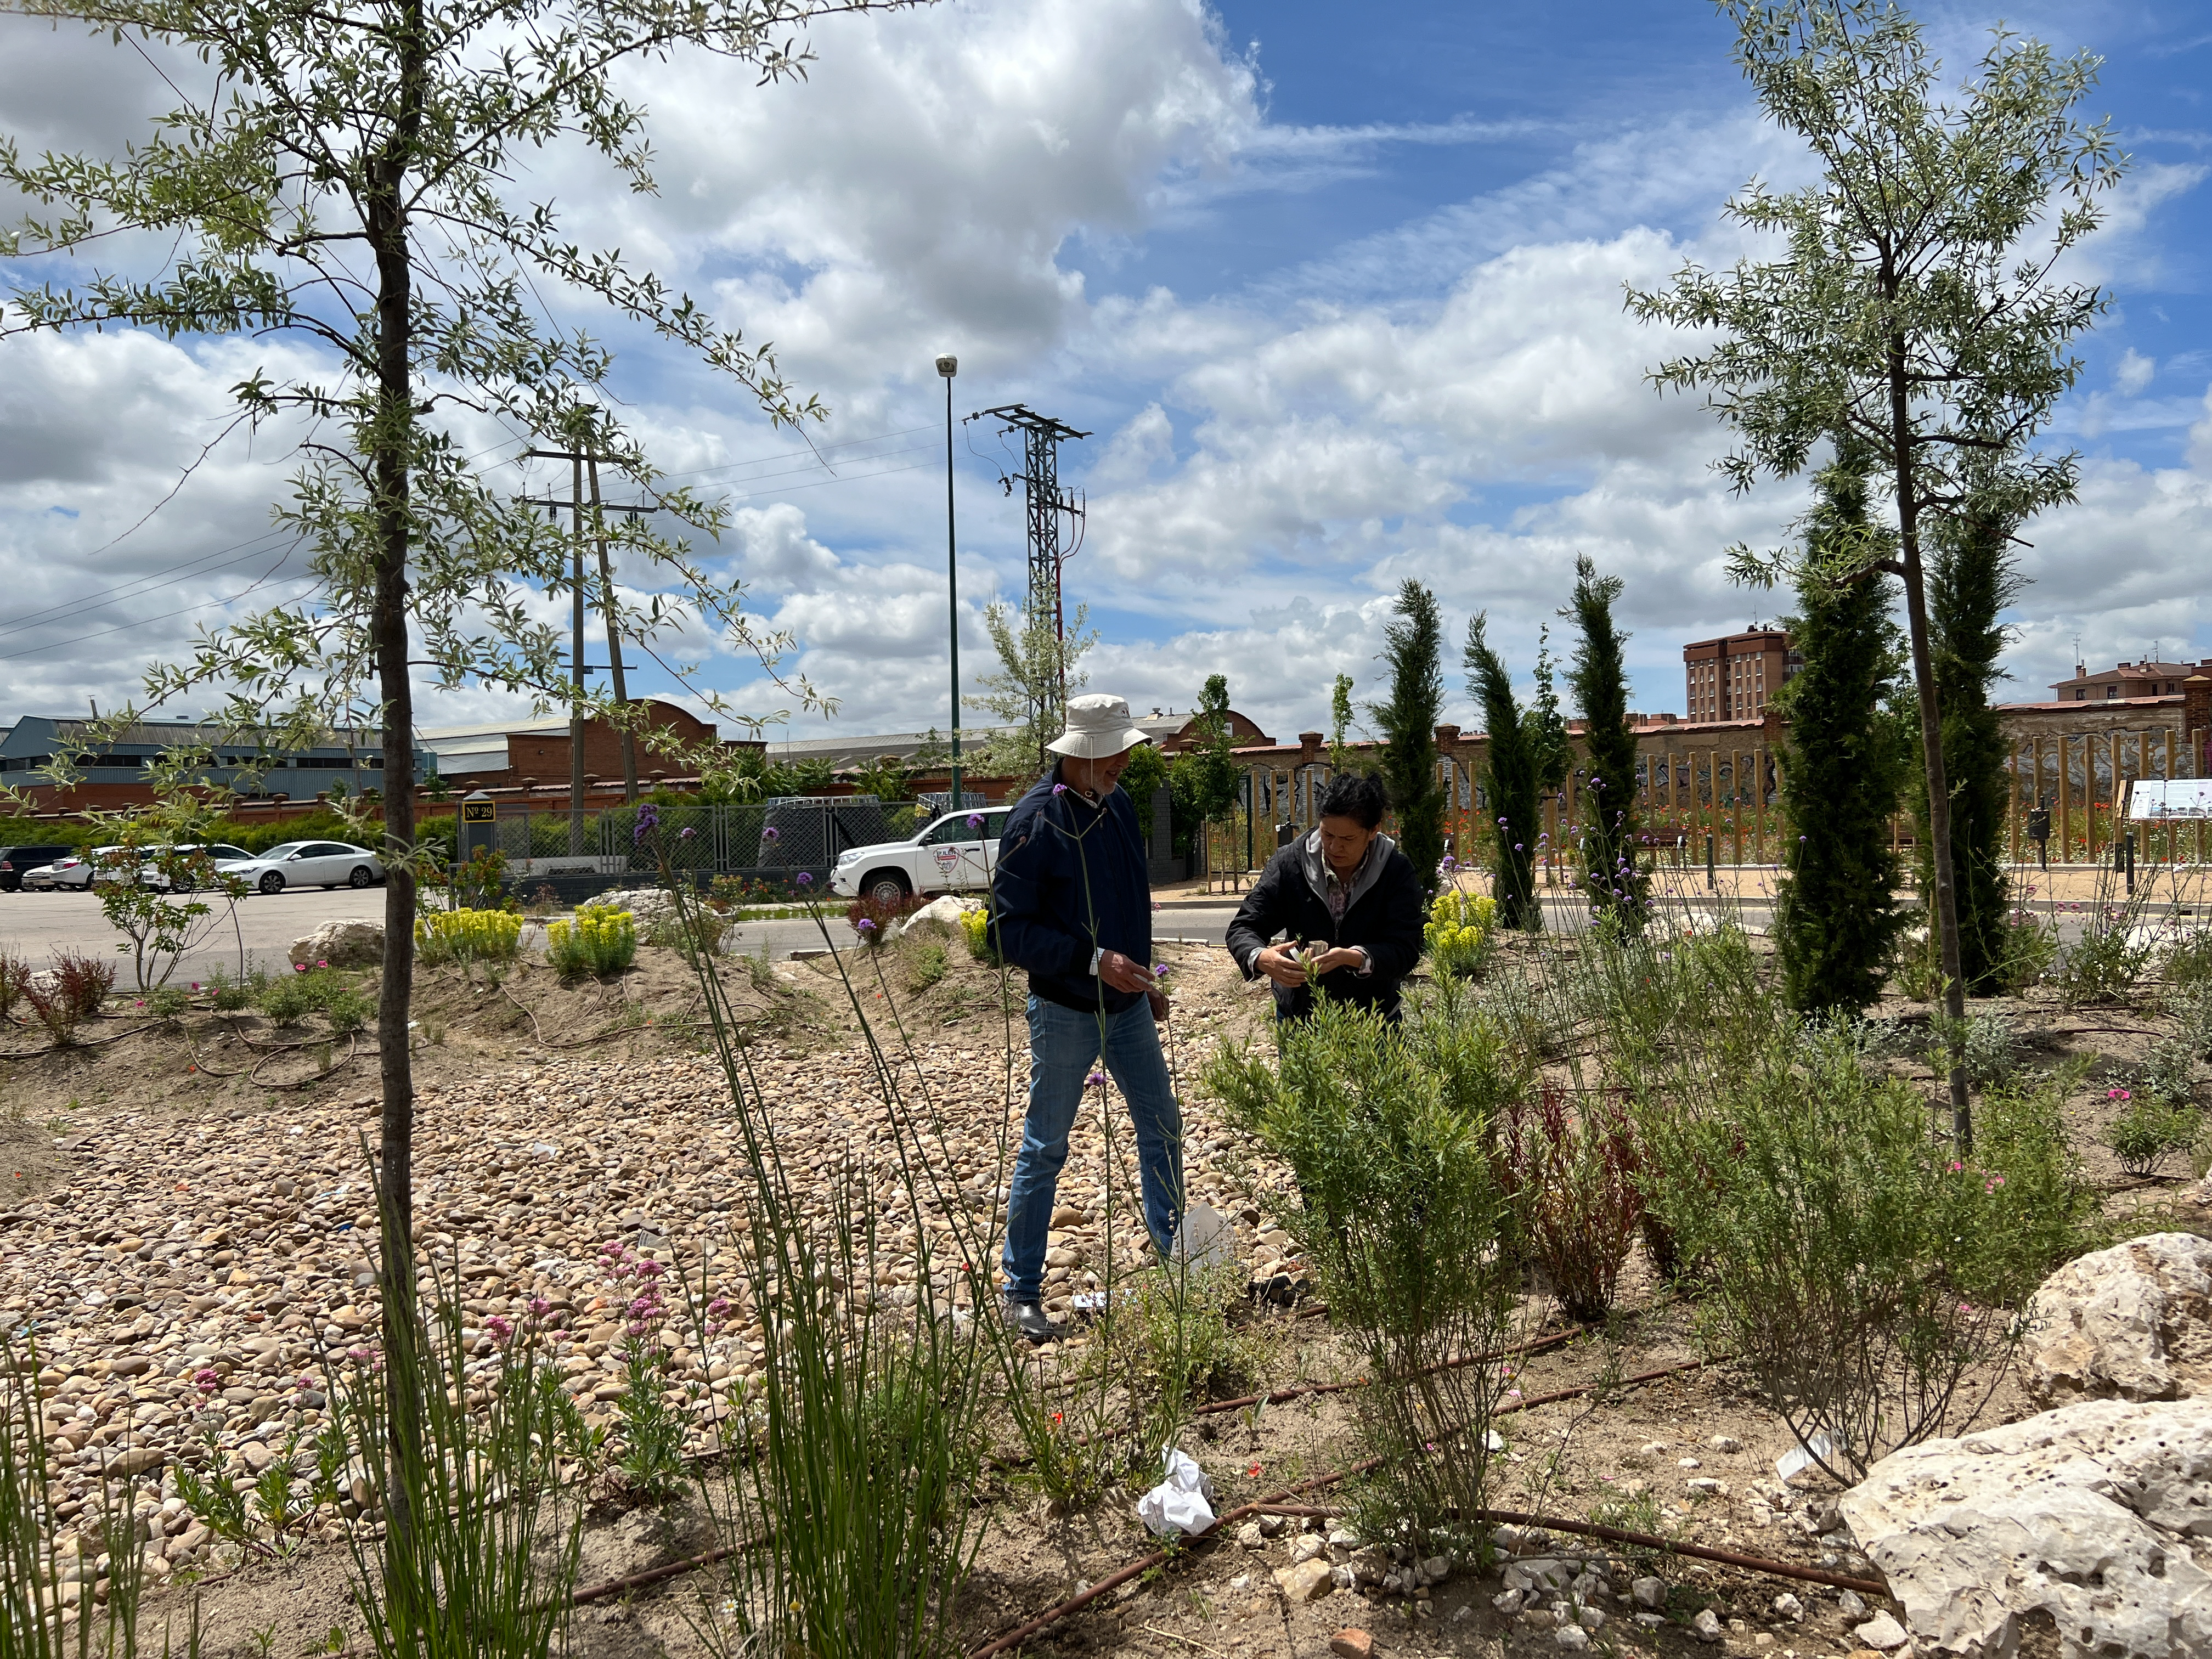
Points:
[(1401, 1213)]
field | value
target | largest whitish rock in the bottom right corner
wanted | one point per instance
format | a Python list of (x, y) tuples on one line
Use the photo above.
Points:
[(2098, 1514)]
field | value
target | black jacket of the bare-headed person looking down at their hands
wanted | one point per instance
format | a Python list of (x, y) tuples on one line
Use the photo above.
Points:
[(1386, 917)]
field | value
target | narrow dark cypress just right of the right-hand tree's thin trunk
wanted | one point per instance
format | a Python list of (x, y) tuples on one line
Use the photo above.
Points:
[(1970, 583)]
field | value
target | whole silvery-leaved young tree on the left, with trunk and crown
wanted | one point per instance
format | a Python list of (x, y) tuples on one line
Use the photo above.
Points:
[(353, 176)]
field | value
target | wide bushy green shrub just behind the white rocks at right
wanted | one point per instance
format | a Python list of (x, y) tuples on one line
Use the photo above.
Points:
[(1857, 1266)]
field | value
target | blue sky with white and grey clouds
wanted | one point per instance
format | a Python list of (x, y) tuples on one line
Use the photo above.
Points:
[(1335, 289)]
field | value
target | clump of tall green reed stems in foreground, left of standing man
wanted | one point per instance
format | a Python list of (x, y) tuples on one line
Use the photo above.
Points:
[(848, 1501)]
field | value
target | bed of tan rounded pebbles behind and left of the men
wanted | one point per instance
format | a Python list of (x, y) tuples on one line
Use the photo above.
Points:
[(196, 1284)]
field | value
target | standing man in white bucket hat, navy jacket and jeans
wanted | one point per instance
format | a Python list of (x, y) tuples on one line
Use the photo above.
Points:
[(1074, 906)]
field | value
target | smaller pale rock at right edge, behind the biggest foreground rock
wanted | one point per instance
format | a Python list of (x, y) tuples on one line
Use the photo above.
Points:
[(2131, 1324)]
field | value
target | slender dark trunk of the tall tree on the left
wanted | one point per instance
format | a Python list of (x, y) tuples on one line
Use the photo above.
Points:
[(390, 461)]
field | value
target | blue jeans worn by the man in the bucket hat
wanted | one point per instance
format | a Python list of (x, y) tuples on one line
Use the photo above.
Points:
[(1063, 1045)]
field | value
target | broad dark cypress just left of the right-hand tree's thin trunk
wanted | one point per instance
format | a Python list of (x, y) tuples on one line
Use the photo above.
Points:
[(1835, 917)]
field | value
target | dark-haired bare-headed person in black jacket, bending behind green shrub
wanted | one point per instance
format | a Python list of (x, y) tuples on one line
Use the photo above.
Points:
[(1348, 895)]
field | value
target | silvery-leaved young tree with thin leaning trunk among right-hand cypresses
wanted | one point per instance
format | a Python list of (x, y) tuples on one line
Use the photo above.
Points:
[(1914, 309)]
